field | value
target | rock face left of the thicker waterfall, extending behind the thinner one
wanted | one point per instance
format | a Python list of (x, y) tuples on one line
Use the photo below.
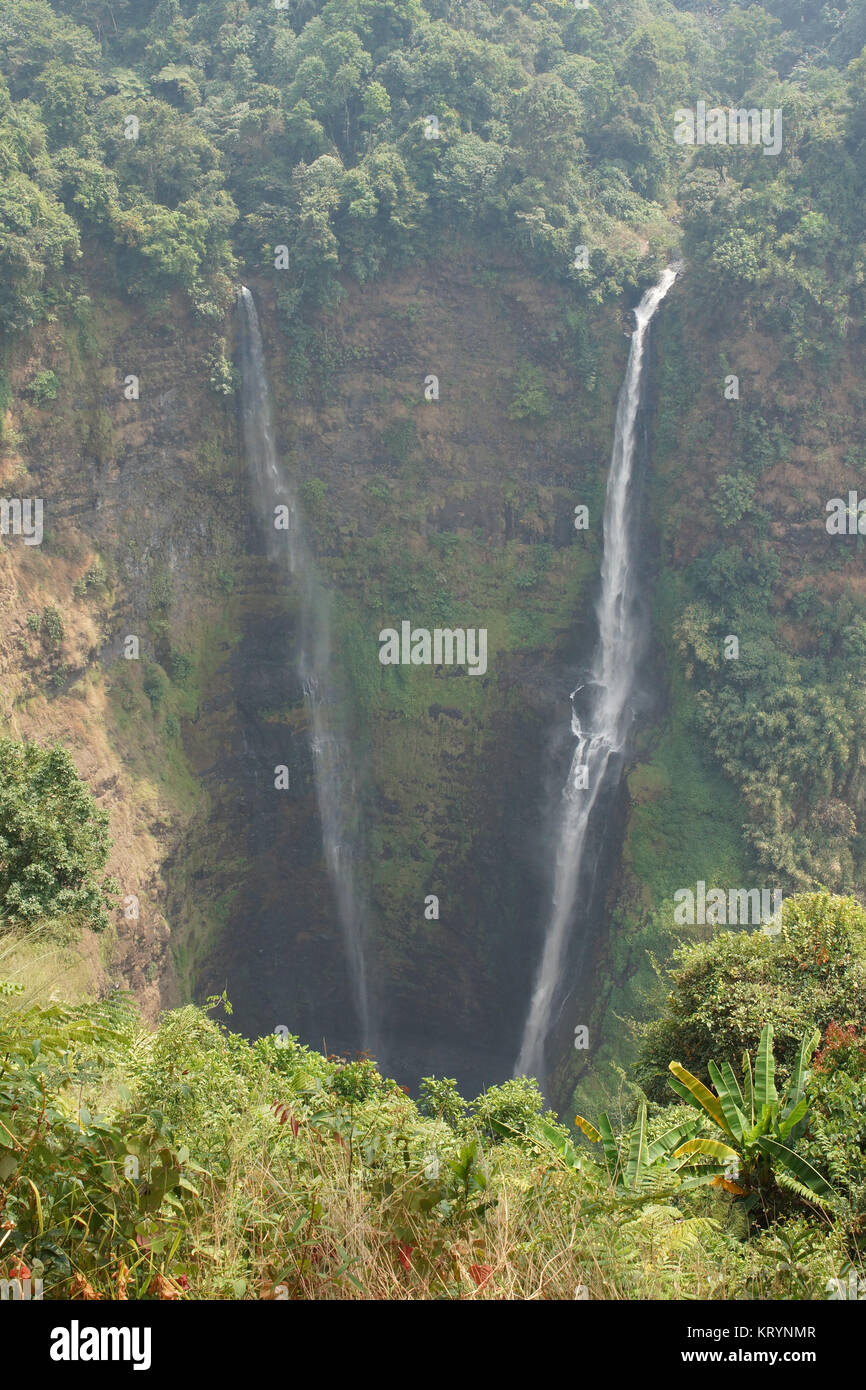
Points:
[(447, 514)]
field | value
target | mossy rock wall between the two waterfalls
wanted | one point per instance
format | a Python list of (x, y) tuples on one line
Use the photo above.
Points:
[(447, 514)]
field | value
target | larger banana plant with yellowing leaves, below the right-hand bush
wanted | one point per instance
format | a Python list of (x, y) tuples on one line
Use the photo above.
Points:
[(758, 1125)]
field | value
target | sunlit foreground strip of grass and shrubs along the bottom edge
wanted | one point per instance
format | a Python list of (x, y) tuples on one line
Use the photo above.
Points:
[(184, 1161)]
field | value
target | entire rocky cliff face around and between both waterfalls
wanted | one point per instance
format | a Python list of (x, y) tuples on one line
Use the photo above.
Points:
[(447, 514)]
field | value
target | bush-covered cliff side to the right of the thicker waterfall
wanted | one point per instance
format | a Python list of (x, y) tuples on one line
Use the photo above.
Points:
[(753, 772)]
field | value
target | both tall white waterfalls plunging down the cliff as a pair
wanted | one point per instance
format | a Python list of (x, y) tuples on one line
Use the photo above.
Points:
[(601, 718)]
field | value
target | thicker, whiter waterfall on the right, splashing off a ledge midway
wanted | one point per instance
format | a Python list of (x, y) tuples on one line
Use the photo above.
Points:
[(604, 730)]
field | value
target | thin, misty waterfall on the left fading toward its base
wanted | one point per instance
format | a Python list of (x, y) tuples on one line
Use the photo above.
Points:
[(334, 783)]
